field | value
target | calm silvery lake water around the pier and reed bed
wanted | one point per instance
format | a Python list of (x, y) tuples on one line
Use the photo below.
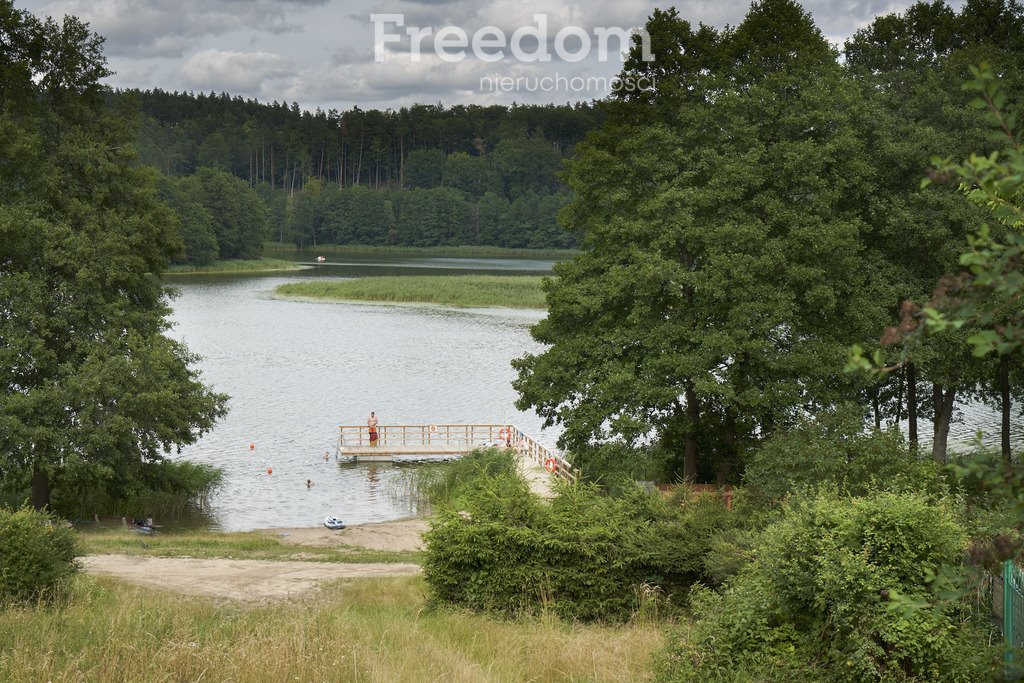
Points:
[(296, 370)]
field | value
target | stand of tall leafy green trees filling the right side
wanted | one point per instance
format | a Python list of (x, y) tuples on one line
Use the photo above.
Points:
[(770, 214)]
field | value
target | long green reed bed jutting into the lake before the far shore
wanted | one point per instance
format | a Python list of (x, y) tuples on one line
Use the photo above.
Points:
[(463, 291)]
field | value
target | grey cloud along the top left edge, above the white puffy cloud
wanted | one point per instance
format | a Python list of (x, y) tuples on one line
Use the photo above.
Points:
[(168, 28)]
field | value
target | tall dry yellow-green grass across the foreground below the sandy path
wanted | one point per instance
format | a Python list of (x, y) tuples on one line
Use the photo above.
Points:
[(364, 630)]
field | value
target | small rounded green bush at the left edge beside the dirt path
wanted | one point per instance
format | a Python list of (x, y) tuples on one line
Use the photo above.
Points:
[(37, 557)]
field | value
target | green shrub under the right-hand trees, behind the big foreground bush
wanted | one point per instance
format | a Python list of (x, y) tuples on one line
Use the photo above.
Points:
[(834, 451)]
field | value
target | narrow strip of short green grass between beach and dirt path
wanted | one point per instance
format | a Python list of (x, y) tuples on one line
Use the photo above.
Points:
[(243, 546)]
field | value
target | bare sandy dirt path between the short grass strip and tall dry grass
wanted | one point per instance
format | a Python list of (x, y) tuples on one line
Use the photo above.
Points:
[(250, 581)]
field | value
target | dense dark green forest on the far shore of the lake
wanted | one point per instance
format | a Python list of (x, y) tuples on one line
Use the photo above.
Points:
[(428, 176)]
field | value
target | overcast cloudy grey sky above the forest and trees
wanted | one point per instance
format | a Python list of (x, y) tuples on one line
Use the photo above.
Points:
[(321, 54)]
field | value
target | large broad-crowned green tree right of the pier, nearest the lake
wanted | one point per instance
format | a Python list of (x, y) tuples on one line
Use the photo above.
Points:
[(723, 269)]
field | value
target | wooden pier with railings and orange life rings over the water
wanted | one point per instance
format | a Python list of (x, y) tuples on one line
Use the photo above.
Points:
[(399, 442)]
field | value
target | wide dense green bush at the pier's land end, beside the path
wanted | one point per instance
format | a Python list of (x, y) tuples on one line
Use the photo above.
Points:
[(583, 556)]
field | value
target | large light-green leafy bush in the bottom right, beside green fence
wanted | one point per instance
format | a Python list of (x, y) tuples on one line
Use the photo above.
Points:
[(818, 603)]
